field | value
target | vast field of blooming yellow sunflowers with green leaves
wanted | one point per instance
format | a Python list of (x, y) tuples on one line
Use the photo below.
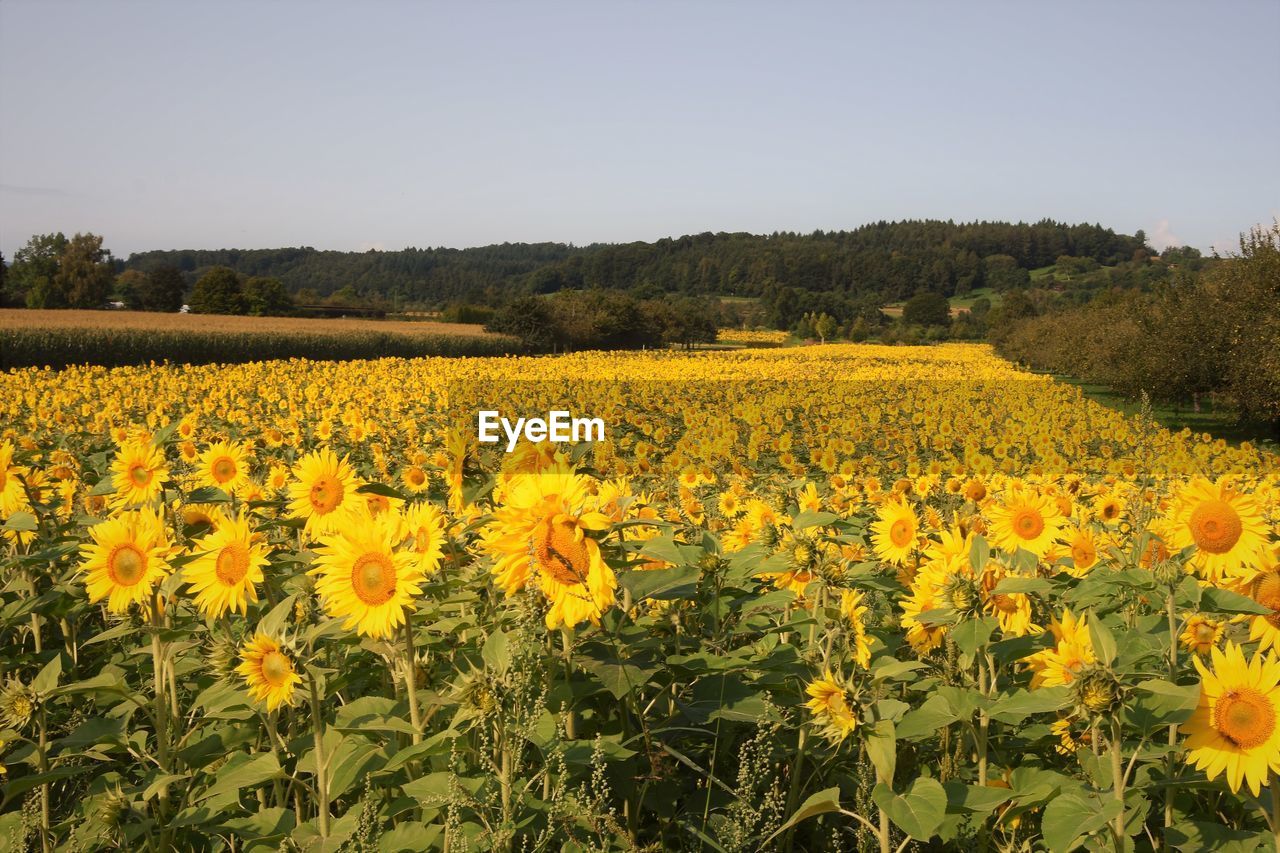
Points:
[(826, 599)]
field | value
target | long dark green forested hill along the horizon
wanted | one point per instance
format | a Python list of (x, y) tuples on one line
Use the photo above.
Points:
[(842, 273)]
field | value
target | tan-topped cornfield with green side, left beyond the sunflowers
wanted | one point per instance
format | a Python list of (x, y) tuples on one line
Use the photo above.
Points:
[(115, 339)]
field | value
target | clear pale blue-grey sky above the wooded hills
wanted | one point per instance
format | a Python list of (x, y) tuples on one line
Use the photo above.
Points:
[(388, 125)]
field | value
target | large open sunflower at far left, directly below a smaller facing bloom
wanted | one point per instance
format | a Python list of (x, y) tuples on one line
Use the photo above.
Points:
[(126, 560)]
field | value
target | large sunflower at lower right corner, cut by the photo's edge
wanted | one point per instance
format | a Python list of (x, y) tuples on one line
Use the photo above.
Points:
[(1235, 727)]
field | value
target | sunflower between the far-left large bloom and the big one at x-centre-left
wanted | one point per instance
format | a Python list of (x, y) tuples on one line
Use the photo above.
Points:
[(223, 578)]
